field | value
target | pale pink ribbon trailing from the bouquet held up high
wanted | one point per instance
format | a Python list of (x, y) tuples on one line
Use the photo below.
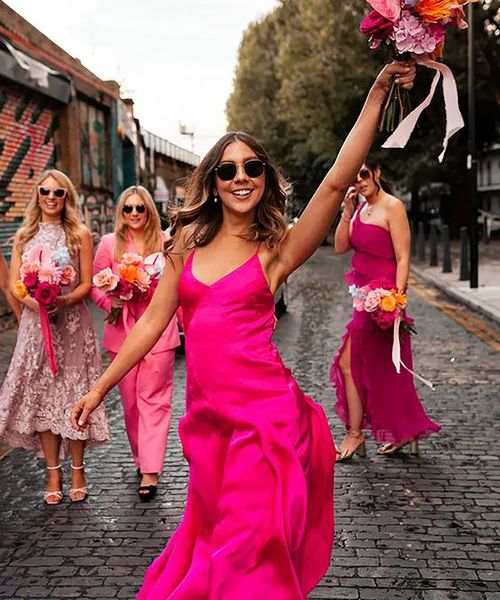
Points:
[(454, 119)]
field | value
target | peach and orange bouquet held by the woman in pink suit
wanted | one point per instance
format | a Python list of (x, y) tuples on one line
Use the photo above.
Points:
[(137, 278)]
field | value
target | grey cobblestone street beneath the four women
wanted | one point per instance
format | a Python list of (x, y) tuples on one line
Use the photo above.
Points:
[(420, 528)]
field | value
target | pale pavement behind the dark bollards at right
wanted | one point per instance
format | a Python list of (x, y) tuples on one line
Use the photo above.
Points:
[(486, 297)]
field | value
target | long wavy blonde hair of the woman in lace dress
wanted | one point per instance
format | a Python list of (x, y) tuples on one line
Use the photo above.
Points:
[(71, 220)]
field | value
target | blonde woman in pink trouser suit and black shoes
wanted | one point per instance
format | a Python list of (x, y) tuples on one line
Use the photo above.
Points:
[(146, 391)]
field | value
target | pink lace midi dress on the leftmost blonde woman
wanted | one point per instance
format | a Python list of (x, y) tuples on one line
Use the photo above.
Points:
[(32, 399)]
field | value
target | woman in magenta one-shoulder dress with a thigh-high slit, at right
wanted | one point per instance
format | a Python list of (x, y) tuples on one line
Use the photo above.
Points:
[(370, 393)]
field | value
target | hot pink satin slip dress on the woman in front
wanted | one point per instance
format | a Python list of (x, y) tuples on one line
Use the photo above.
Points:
[(258, 521)]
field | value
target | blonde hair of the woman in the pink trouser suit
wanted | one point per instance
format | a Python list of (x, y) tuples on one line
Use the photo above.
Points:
[(153, 238)]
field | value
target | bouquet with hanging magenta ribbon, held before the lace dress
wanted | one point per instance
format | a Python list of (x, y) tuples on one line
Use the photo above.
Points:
[(44, 272)]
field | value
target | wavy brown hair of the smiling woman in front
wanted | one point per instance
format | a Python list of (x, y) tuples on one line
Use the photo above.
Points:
[(200, 219)]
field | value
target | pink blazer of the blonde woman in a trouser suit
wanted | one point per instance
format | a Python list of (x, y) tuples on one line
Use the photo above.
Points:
[(114, 335)]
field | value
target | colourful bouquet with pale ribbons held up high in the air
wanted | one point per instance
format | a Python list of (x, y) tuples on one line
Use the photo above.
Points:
[(415, 29)]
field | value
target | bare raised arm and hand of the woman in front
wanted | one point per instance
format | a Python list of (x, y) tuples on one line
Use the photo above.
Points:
[(315, 222)]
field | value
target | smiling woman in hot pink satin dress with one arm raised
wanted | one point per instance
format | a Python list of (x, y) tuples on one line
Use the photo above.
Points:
[(258, 522)]
